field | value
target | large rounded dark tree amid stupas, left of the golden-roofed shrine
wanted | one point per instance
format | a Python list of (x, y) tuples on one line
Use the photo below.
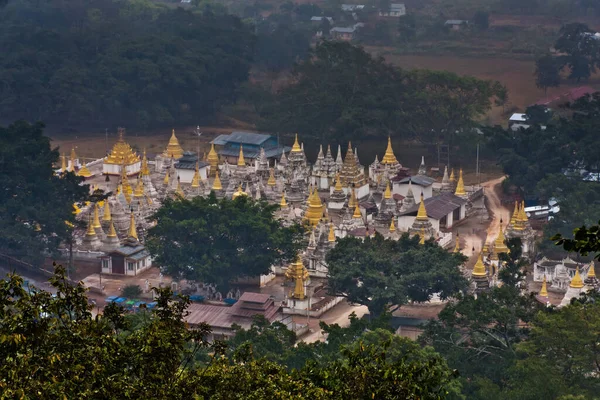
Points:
[(218, 241)]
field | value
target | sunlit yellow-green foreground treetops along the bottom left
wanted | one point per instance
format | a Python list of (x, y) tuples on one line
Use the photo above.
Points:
[(53, 348)]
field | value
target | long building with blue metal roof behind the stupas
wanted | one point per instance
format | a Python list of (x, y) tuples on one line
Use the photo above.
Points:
[(251, 142)]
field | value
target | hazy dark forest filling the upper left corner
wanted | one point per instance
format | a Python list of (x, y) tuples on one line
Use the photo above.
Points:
[(118, 62)]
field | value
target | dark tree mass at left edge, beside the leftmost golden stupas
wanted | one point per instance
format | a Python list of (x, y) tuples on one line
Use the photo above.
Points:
[(33, 194)]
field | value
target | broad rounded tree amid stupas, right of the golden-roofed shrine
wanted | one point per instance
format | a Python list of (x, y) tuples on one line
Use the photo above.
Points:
[(380, 272)]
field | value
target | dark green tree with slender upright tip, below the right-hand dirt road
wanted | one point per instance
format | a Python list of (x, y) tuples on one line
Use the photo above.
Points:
[(478, 335)]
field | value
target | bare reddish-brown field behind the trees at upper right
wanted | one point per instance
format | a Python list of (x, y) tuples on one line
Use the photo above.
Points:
[(517, 75)]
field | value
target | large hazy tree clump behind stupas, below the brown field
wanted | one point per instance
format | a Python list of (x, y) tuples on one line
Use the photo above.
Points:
[(341, 92)]
